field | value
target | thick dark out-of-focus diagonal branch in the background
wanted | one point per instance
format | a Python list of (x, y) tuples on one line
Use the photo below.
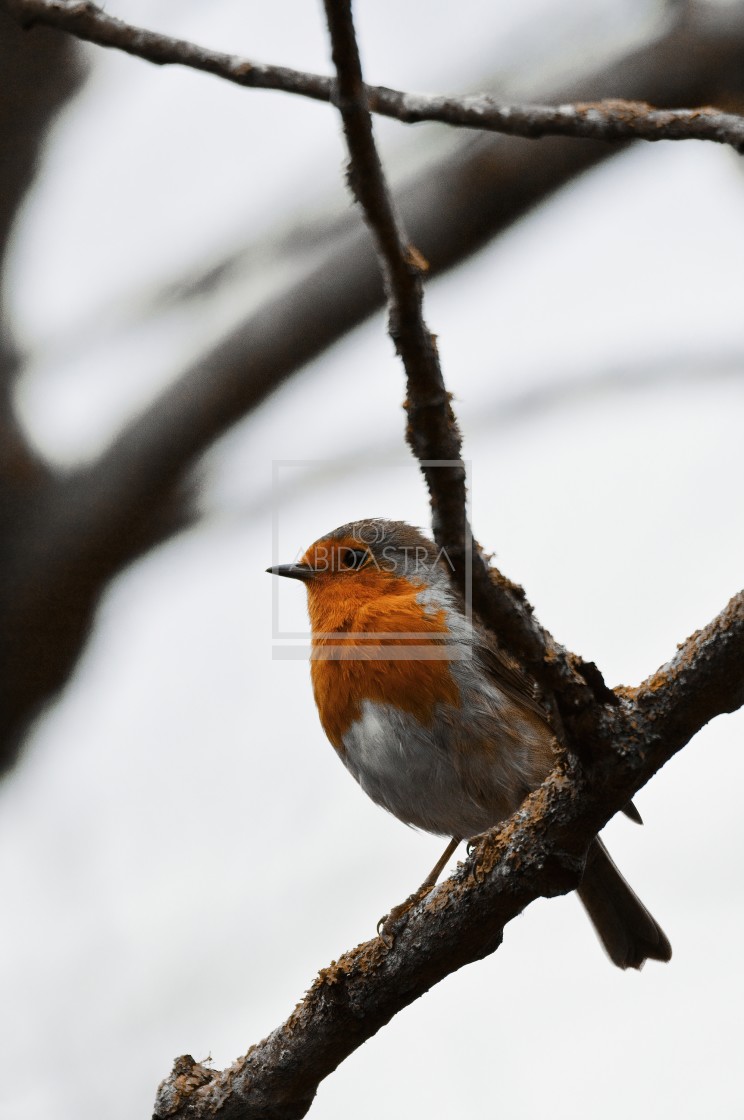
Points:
[(73, 531)]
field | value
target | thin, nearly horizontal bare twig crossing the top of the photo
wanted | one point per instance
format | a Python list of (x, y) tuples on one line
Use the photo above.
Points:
[(611, 119)]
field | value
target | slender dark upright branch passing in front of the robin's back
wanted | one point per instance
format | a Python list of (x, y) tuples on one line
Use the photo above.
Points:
[(432, 431)]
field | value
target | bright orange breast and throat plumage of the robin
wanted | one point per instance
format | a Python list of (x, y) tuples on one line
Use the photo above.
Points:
[(356, 620)]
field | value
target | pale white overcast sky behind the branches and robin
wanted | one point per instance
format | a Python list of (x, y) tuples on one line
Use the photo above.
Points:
[(181, 851)]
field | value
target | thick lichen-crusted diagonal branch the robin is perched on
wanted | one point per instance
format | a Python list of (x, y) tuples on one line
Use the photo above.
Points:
[(538, 853)]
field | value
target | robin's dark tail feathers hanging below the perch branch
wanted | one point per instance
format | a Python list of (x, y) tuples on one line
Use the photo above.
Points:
[(627, 930)]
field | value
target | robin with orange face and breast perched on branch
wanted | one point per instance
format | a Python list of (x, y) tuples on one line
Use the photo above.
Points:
[(436, 723)]
